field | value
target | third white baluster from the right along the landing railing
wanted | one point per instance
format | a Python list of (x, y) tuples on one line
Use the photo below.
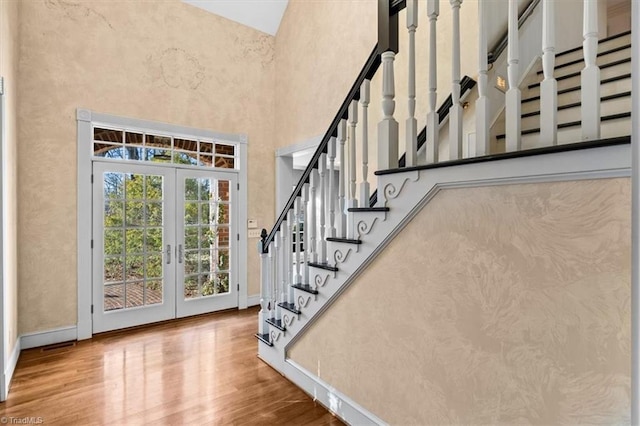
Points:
[(512, 100)]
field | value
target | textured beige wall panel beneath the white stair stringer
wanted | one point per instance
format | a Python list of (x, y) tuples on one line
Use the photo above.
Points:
[(495, 305)]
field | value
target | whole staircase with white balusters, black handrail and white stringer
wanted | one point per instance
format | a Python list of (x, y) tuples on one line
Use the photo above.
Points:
[(323, 240)]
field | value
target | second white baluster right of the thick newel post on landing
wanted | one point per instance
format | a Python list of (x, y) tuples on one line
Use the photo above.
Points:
[(433, 119)]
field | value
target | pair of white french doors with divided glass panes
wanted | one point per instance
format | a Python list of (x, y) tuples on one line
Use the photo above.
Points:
[(163, 245)]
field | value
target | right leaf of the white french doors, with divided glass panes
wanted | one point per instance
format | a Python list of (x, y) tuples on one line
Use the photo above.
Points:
[(205, 227)]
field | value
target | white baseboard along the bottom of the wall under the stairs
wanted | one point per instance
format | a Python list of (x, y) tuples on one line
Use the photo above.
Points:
[(333, 400)]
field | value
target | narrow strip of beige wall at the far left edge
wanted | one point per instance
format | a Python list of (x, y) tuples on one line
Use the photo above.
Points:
[(9, 70)]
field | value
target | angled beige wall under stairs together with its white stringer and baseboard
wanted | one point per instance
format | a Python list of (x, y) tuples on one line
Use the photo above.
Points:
[(479, 276)]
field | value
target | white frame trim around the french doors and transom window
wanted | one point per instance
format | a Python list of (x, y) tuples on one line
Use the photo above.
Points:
[(85, 121)]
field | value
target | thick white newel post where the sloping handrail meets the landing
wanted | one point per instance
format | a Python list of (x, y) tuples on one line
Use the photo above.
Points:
[(388, 127)]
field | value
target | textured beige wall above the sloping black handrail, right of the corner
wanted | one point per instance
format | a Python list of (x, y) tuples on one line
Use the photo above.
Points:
[(321, 47)]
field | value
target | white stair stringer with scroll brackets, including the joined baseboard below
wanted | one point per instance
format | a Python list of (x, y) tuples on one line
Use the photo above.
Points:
[(406, 194)]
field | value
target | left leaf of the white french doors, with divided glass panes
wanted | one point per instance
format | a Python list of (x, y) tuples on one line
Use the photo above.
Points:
[(133, 246)]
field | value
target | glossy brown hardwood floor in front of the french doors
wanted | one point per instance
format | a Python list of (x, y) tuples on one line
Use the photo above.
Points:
[(200, 370)]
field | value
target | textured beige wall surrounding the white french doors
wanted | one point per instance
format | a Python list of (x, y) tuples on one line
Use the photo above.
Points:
[(156, 60)]
